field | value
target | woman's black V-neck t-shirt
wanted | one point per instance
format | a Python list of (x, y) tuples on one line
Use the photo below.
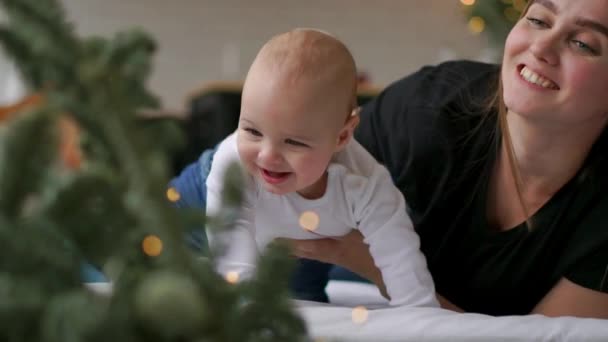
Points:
[(431, 132)]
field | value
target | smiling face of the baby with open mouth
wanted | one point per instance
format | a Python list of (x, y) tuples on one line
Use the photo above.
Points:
[(286, 138)]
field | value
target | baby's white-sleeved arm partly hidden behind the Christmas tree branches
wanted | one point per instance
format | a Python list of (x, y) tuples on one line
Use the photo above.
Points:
[(237, 247)]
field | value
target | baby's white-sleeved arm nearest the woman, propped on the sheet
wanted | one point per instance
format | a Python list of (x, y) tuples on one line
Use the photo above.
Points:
[(393, 243)]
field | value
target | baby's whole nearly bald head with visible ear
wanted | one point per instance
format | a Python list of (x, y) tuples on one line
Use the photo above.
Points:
[(295, 107)]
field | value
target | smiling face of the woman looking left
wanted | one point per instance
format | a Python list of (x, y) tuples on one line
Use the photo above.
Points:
[(555, 66)]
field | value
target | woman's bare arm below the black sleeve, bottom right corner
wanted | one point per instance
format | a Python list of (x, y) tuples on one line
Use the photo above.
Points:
[(569, 299)]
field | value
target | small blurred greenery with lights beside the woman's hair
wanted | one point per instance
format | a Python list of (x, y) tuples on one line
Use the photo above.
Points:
[(493, 17)]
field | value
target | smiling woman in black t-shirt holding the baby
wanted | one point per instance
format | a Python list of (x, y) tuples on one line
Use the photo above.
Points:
[(507, 187)]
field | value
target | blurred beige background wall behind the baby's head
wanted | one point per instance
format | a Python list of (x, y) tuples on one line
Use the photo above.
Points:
[(207, 40)]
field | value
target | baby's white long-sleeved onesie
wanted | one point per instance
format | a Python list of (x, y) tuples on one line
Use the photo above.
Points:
[(359, 195)]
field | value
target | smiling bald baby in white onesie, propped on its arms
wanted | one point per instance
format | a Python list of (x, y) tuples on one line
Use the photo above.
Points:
[(307, 177)]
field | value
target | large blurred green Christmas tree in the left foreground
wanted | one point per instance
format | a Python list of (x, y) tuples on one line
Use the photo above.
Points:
[(109, 209)]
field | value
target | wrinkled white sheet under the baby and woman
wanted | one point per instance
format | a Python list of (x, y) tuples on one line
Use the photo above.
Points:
[(334, 321)]
